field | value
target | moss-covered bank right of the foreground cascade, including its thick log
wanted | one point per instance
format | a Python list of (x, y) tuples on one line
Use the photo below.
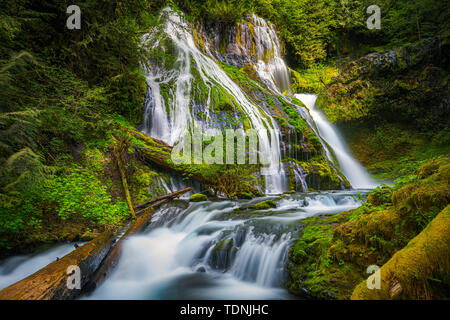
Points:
[(332, 255)]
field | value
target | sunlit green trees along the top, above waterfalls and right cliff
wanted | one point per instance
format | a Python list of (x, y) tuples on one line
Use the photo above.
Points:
[(315, 30)]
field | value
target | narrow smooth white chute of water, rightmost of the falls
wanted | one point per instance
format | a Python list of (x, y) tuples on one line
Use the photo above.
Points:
[(352, 169)]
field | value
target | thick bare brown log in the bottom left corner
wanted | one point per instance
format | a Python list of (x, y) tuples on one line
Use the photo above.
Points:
[(50, 282)]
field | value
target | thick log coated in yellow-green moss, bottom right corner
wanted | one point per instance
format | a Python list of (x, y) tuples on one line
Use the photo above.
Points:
[(414, 271)]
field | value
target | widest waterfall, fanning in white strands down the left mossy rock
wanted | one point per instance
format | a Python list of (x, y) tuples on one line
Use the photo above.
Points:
[(168, 114)]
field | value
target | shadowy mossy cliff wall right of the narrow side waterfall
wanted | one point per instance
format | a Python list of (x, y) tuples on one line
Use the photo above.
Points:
[(406, 84)]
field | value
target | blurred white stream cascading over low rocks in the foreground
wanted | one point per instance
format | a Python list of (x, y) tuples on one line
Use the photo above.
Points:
[(207, 251)]
